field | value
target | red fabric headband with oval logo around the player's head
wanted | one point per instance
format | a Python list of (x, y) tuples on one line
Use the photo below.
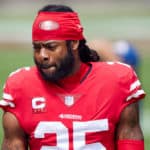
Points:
[(57, 26)]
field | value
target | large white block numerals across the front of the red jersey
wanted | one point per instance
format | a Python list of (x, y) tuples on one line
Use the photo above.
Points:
[(79, 131)]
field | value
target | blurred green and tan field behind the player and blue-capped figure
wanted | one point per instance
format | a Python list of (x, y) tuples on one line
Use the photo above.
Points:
[(101, 19)]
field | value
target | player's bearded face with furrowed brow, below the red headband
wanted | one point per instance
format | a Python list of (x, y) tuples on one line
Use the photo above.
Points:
[(54, 59)]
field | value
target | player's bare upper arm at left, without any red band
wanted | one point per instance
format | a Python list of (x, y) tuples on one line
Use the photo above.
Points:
[(14, 137)]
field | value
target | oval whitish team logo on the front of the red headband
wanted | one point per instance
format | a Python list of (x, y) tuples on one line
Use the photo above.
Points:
[(49, 25)]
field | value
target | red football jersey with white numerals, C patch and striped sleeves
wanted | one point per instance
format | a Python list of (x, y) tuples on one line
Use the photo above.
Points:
[(83, 118)]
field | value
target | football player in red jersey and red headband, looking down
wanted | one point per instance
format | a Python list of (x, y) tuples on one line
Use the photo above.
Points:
[(69, 100)]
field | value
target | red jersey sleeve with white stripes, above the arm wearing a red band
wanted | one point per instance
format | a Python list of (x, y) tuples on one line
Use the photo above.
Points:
[(131, 86)]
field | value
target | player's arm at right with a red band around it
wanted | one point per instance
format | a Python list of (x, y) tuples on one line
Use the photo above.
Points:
[(129, 133)]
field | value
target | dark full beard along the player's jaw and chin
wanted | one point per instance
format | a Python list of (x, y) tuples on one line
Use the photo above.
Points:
[(63, 70)]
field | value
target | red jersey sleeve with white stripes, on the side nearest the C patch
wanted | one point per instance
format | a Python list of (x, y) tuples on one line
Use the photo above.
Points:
[(12, 90)]
